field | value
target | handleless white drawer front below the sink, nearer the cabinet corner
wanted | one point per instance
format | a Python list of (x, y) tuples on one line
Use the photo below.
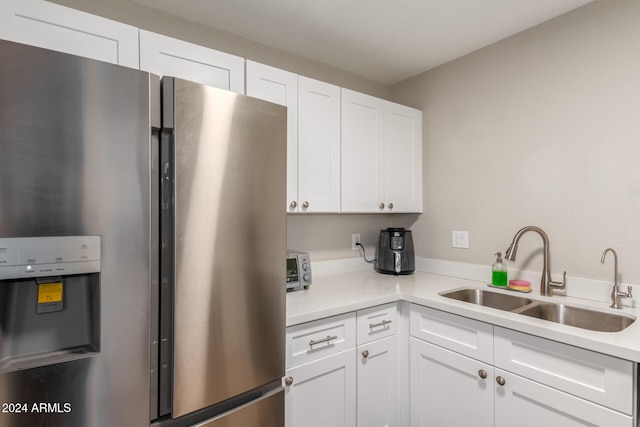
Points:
[(460, 334)]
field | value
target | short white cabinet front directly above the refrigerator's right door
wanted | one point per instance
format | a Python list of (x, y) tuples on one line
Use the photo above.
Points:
[(166, 56)]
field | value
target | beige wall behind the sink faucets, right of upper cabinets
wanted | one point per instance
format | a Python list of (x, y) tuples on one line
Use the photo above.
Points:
[(540, 129)]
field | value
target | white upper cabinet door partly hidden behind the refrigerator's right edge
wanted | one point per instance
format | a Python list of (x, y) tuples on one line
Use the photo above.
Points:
[(281, 87)]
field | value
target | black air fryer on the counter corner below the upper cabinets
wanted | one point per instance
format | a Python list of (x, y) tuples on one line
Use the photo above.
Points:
[(395, 253)]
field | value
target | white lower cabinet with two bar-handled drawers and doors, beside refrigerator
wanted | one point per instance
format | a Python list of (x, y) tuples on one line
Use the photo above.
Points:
[(329, 385)]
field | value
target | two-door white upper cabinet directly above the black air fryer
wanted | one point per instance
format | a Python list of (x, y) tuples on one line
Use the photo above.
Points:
[(381, 155)]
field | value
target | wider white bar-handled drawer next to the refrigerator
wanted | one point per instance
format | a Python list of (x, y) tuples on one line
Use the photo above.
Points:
[(324, 337)]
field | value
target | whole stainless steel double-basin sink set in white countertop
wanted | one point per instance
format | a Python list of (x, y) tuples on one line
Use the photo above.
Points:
[(578, 317)]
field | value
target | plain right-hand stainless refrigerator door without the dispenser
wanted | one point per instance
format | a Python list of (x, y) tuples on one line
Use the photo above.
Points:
[(229, 244)]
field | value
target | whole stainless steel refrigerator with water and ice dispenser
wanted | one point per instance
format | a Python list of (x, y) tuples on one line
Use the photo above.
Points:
[(141, 268)]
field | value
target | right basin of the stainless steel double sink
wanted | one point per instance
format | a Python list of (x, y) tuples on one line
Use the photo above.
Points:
[(579, 317)]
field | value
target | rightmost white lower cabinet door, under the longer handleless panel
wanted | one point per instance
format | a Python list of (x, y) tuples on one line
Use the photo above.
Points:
[(525, 403)]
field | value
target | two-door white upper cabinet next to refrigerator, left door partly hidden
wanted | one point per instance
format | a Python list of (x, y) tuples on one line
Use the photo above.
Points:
[(313, 146)]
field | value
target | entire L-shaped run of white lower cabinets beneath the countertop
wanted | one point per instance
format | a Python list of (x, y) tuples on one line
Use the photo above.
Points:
[(349, 371)]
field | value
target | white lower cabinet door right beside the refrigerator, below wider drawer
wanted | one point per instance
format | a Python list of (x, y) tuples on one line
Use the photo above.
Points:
[(322, 393)]
